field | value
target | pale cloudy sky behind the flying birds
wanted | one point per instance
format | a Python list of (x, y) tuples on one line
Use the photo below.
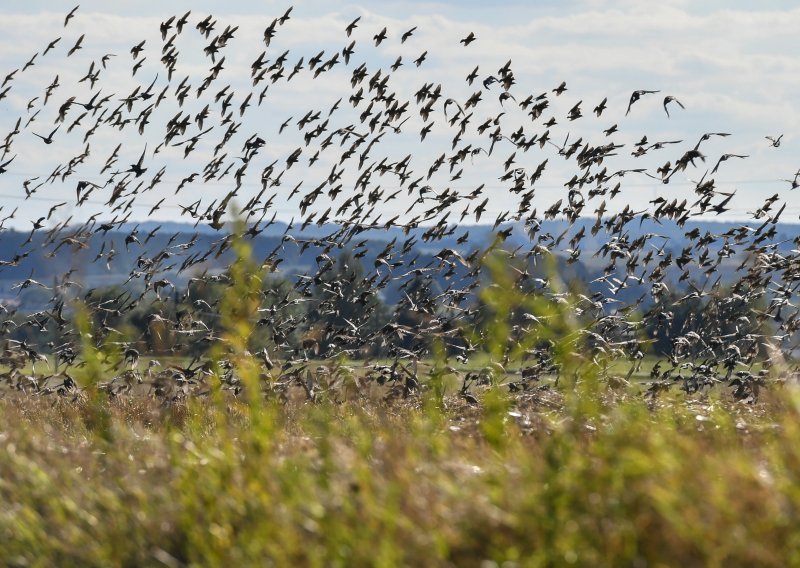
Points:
[(732, 65)]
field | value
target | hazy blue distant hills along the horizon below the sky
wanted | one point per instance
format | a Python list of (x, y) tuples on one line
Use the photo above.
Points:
[(90, 264)]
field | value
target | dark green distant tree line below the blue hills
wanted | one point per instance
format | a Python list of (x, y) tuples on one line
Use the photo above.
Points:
[(337, 312)]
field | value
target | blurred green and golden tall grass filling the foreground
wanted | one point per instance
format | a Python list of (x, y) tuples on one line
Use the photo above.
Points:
[(577, 474)]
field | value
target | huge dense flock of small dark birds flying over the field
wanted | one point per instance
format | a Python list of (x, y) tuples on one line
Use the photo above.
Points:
[(360, 184)]
